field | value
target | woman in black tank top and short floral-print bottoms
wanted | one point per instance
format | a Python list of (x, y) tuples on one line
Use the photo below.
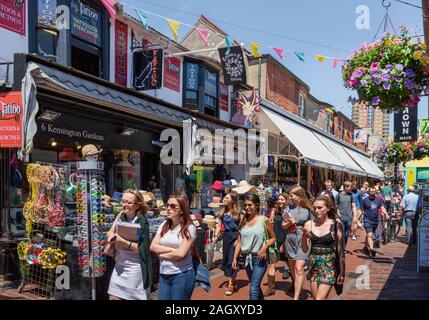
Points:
[(324, 236)]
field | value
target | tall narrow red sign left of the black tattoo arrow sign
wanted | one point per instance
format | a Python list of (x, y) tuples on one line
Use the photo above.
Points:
[(121, 53)]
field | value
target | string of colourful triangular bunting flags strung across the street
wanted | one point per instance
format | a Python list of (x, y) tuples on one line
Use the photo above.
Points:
[(255, 47)]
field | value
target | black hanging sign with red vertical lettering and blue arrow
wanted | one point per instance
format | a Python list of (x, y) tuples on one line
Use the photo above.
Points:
[(148, 69)]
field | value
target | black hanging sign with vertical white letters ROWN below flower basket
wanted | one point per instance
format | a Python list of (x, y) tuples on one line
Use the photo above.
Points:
[(405, 124)]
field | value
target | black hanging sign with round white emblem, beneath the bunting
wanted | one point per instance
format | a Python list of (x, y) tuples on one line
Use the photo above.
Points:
[(233, 65)]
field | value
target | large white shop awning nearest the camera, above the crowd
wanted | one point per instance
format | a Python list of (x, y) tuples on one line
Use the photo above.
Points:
[(305, 141)]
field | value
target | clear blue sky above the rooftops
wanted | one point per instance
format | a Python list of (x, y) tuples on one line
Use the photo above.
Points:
[(330, 23)]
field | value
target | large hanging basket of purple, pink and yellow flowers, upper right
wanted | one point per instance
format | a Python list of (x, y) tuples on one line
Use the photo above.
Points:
[(389, 74)]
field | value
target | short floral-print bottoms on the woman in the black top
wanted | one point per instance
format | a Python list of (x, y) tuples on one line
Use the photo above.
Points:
[(322, 269)]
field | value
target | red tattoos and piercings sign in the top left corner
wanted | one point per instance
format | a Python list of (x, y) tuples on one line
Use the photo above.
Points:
[(12, 15)]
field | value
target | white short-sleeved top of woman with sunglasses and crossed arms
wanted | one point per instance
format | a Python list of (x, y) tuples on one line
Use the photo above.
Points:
[(173, 239)]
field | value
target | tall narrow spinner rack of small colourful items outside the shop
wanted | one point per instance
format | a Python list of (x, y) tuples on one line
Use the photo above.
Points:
[(91, 219)]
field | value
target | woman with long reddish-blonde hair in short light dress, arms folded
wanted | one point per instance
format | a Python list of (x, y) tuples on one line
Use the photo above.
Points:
[(294, 222)]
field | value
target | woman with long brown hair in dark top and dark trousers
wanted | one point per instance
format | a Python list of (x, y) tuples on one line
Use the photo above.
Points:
[(231, 218)]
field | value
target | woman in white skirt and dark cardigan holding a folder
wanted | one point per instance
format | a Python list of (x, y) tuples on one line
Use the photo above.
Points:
[(132, 276)]
